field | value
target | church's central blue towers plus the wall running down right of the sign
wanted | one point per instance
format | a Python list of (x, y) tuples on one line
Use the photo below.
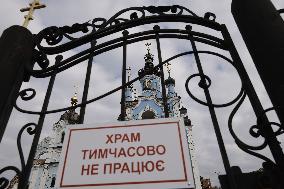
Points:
[(149, 105)]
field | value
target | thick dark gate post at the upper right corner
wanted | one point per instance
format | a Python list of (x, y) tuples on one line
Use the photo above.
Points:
[(262, 29)]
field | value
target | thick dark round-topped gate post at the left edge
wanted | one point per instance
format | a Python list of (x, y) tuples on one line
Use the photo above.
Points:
[(16, 47)]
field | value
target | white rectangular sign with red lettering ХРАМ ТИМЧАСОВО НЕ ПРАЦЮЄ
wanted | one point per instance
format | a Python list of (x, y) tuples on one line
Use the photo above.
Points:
[(132, 154)]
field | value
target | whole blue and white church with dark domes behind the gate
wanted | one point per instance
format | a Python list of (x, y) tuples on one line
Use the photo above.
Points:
[(148, 105)]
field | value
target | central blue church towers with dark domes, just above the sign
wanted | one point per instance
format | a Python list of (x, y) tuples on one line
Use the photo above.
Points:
[(149, 105)]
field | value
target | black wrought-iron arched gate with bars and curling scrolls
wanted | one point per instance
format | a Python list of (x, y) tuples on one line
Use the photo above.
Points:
[(59, 40)]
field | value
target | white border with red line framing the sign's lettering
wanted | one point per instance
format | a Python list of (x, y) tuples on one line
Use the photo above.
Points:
[(186, 182)]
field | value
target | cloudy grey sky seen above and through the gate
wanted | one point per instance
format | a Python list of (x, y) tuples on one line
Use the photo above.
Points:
[(106, 76)]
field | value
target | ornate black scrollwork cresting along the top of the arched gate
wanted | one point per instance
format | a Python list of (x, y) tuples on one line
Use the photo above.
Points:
[(53, 35)]
